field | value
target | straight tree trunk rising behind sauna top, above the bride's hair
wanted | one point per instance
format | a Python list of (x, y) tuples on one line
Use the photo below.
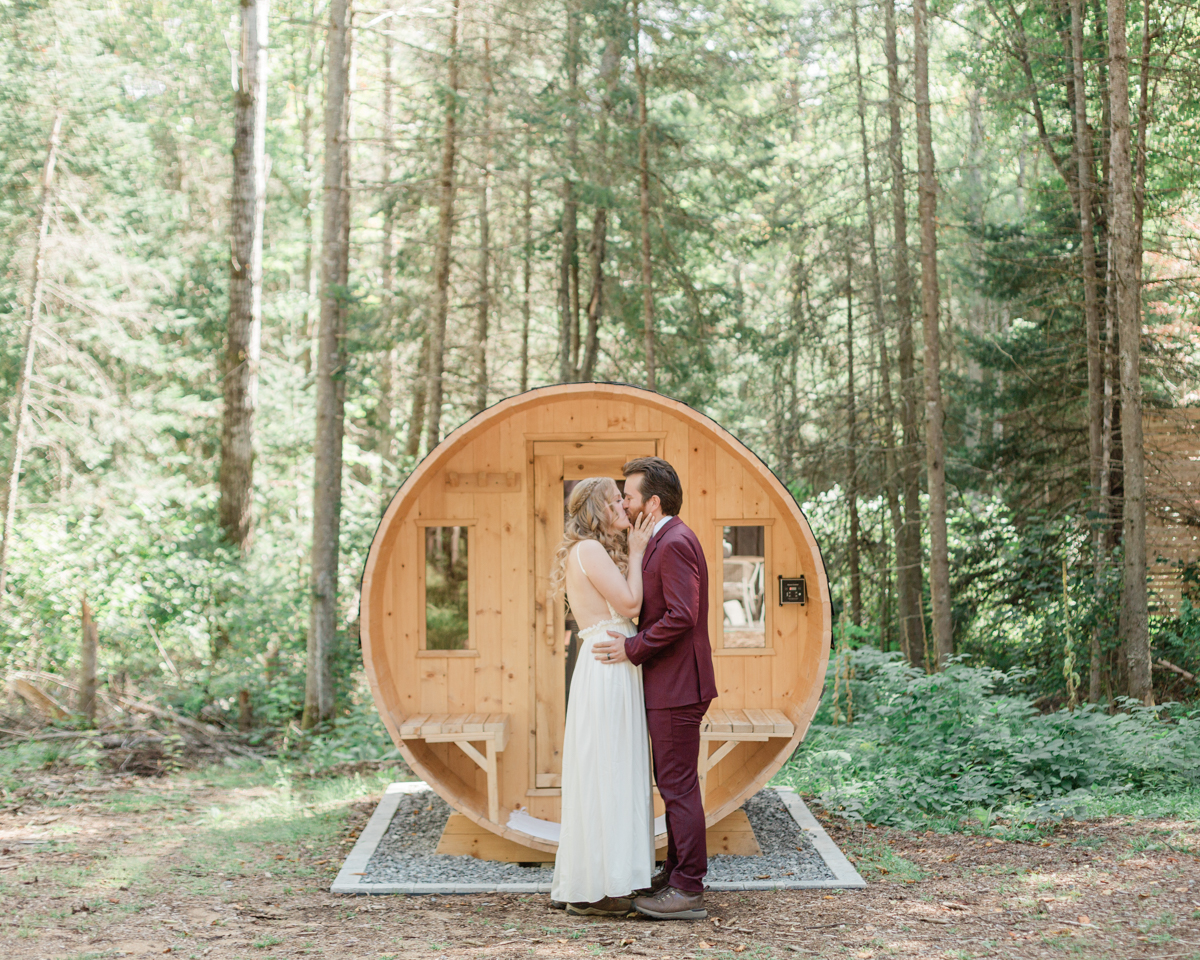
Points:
[(569, 259)]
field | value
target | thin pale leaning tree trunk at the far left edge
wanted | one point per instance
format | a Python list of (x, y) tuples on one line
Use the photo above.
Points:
[(21, 401)]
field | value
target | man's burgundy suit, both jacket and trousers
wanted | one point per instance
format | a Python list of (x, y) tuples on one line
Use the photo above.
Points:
[(674, 649)]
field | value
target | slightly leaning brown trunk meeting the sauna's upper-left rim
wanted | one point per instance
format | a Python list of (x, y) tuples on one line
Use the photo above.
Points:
[(446, 236)]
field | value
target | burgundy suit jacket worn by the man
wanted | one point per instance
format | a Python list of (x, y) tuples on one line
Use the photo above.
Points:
[(673, 641)]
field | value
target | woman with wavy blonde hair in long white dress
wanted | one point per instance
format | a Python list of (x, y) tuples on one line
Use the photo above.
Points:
[(607, 845)]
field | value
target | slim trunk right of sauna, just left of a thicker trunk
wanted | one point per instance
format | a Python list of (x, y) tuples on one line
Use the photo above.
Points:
[(909, 550)]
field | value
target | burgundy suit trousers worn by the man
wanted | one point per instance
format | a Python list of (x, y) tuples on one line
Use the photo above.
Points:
[(675, 736)]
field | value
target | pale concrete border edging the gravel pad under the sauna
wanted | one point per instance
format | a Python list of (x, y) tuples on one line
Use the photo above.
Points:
[(350, 878)]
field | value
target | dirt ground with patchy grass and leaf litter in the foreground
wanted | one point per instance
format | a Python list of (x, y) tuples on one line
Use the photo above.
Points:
[(98, 867)]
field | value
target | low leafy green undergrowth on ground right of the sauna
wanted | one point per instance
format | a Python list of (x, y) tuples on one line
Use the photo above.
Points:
[(934, 747)]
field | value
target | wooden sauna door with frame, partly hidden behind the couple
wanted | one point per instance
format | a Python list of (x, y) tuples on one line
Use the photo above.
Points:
[(557, 467)]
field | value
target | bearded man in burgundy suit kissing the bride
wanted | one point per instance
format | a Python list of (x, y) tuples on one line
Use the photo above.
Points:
[(677, 674)]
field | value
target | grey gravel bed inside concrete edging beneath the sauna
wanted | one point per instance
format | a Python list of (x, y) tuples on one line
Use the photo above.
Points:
[(406, 854)]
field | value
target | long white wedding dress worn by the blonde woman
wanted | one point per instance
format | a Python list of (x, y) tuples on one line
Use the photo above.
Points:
[(607, 843)]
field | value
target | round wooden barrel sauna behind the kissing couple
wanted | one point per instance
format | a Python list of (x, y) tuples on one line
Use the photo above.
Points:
[(470, 662)]
